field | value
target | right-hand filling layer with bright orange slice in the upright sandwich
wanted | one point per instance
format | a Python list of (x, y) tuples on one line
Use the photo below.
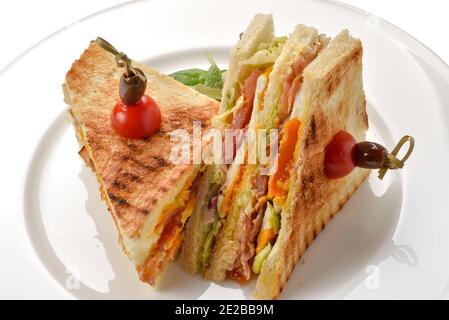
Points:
[(260, 222)]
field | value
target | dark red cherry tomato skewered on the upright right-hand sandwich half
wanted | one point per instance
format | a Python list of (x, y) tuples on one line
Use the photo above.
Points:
[(340, 155)]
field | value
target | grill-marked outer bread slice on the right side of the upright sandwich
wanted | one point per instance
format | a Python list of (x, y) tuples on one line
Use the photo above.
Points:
[(335, 100)]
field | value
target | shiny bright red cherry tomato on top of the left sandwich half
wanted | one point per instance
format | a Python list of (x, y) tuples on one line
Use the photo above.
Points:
[(137, 121)]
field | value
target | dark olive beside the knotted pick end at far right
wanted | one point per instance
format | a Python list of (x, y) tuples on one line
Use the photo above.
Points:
[(370, 155)]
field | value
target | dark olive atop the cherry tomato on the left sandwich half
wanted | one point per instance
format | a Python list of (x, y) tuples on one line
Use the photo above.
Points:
[(132, 88)]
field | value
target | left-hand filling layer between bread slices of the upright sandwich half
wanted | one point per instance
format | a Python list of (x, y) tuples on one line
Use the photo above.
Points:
[(242, 112)]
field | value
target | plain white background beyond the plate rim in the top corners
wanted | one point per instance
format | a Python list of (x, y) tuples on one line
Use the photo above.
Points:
[(24, 22)]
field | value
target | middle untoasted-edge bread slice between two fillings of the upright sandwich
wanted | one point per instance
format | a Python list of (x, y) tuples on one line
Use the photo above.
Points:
[(235, 240)]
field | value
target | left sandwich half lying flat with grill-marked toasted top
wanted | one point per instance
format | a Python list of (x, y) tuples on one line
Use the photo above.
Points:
[(146, 194)]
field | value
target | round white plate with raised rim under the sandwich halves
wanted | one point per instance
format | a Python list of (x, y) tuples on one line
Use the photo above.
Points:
[(58, 241)]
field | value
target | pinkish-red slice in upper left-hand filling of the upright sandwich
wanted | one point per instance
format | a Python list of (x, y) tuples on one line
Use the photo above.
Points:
[(242, 116)]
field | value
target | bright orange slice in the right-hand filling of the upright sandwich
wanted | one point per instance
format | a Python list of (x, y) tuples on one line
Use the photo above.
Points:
[(276, 183)]
